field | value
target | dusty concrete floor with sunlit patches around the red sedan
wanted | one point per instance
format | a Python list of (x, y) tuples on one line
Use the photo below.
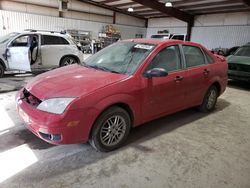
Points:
[(187, 149)]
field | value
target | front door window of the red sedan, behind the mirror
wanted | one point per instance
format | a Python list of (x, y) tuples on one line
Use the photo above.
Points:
[(168, 59)]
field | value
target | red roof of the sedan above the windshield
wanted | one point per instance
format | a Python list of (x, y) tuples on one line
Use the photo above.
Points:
[(161, 42)]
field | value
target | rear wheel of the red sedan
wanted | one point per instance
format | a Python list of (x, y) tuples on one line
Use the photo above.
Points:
[(209, 100)]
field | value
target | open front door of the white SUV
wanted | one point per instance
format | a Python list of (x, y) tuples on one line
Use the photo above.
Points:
[(18, 53)]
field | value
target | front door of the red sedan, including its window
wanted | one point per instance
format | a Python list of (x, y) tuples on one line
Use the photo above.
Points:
[(165, 95)]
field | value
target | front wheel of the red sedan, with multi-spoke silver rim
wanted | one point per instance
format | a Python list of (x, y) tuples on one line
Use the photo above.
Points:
[(110, 130)]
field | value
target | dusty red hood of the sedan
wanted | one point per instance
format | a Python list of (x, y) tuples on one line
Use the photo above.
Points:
[(74, 80)]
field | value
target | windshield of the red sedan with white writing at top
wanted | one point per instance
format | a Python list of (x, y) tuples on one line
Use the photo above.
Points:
[(121, 57)]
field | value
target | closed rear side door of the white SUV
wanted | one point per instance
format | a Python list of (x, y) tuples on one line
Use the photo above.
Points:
[(53, 48)]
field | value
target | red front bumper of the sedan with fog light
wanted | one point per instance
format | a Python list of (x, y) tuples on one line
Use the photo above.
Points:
[(66, 128)]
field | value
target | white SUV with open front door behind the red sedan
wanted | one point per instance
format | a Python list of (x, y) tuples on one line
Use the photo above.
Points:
[(37, 50)]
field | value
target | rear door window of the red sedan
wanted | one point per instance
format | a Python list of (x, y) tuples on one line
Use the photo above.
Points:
[(194, 56)]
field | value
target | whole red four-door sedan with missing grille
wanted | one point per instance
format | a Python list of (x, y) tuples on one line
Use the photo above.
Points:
[(122, 86)]
